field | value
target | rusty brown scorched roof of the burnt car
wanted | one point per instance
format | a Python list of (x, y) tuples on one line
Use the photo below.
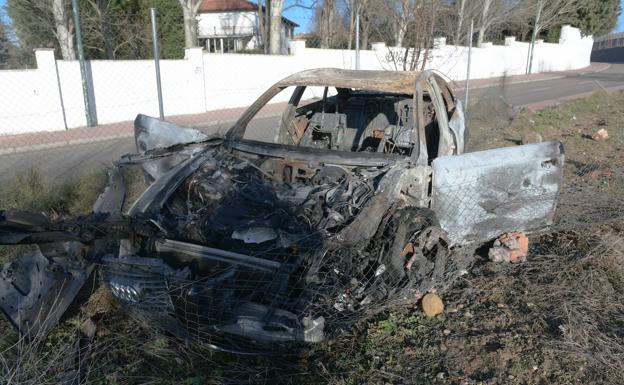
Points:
[(388, 81)]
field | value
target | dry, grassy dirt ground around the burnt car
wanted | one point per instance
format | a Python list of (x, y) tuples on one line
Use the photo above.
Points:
[(556, 319)]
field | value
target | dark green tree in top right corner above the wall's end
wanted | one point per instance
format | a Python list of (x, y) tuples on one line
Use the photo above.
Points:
[(597, 17)]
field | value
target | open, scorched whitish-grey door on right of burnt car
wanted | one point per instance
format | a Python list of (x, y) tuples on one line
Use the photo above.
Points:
[(480, 195)]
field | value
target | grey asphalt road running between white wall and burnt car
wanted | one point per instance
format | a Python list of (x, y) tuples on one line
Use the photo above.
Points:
[(64, 162)]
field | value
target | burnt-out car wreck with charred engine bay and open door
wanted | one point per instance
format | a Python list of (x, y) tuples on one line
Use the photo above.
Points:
[(284, 235)]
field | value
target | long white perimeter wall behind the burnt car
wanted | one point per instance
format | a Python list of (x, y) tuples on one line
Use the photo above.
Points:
[(50, 98)]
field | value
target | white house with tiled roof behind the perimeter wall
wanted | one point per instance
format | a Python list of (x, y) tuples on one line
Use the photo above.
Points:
[(233, 25)]
